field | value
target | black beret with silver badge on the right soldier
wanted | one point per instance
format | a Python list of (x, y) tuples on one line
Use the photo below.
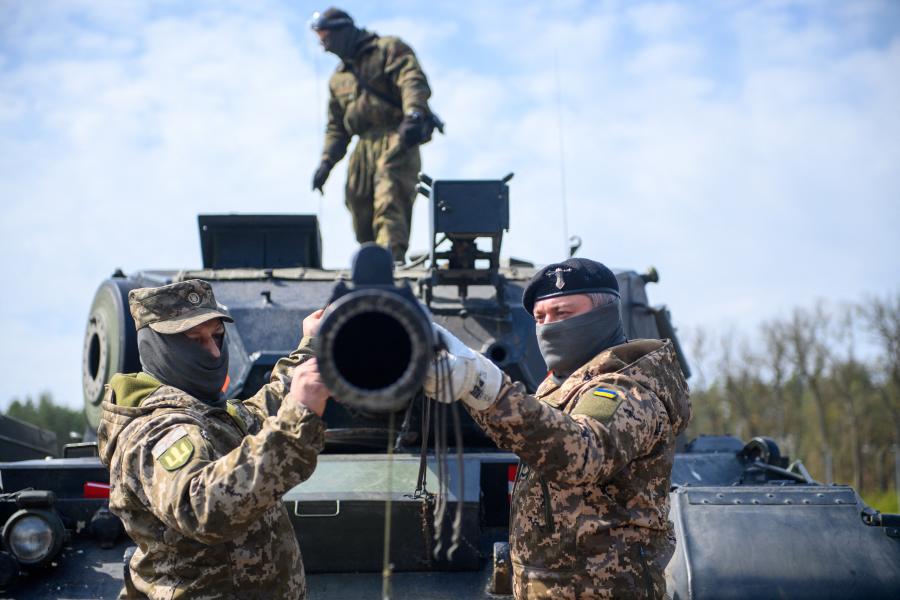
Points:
[(573, 276)]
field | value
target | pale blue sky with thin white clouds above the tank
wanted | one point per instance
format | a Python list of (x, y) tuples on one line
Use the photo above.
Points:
[(748, 149)]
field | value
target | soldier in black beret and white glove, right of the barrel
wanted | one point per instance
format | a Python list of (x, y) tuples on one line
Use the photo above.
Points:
[(589, 515)]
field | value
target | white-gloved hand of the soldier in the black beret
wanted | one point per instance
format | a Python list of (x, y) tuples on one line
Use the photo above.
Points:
[(474, 379)]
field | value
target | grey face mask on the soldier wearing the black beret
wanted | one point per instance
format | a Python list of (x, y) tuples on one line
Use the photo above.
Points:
[(568, 344)]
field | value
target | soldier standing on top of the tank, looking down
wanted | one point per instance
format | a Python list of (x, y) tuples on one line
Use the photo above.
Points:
[(380, 94)]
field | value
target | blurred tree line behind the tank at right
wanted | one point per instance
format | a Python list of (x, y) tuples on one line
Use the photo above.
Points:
[(823, 382)]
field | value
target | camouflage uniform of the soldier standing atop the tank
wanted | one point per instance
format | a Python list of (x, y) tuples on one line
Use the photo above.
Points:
[(382, 175)]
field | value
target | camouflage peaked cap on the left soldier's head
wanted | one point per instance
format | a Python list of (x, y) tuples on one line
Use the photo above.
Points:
[(176, 307)]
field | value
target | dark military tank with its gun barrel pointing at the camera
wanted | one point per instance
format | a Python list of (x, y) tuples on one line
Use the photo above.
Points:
[(749, 522)]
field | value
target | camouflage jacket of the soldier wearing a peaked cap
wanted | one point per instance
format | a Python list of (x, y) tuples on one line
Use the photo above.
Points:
[(199, 487)]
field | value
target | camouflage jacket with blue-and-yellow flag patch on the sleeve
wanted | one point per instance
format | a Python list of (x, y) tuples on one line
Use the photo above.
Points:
[(589, 515)]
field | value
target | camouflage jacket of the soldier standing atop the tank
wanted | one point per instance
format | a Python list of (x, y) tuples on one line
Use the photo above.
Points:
[(386, 64)]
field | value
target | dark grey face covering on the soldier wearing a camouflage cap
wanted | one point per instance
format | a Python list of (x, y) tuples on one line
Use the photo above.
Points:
[(182, 363)]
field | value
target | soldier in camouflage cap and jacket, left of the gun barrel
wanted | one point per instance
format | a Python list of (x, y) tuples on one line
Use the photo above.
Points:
[(198, 481)]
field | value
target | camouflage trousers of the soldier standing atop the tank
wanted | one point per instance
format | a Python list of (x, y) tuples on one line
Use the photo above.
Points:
[(381, 188)]
